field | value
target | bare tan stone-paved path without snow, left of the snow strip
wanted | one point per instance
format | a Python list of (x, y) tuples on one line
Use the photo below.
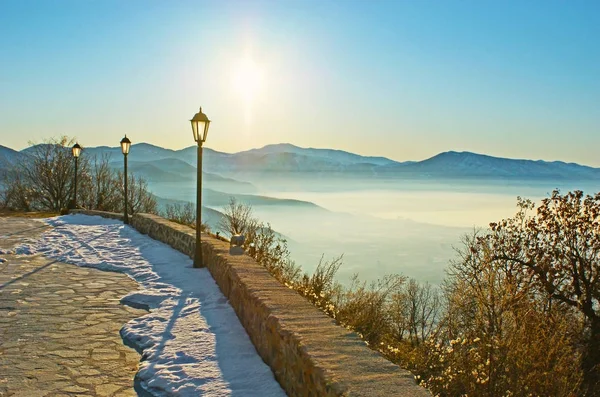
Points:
[(59, 325)]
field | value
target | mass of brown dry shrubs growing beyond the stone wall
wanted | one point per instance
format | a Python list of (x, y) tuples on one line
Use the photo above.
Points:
[(504, 323)]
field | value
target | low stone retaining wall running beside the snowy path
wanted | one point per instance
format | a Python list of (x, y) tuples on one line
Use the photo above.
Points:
[(309, 354)]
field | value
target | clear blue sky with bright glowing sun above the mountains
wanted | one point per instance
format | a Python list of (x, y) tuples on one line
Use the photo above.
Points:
[(402, 79)]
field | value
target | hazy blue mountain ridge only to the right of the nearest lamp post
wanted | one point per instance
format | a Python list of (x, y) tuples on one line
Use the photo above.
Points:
[(276, 159)]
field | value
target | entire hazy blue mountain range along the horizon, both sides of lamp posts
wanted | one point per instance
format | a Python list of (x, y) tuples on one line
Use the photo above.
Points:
[(162, 164)]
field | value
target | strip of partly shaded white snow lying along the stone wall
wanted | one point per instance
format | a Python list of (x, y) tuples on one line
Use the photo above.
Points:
[(192, 342)]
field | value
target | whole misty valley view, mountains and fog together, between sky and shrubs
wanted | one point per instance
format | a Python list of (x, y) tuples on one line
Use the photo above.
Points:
[(383, 216)]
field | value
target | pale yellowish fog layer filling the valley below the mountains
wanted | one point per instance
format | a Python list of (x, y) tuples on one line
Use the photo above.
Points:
[(382, 227)]
